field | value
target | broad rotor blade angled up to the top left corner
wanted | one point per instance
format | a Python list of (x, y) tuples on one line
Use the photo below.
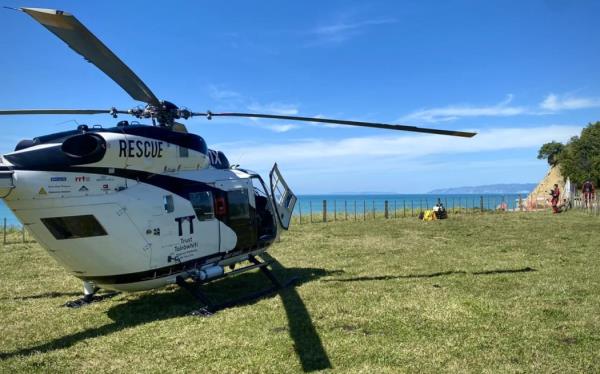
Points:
[(81, 40)]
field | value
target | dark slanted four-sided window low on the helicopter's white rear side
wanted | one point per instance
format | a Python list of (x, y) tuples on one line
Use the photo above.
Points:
[(74, 227)]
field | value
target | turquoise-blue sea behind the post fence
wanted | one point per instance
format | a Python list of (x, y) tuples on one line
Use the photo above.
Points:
[(369, 202)]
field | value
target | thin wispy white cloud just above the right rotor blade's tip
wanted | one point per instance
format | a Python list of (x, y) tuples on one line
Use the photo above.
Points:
[(452, 112)]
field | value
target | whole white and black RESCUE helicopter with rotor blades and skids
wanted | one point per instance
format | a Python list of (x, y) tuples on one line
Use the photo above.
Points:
[(135, 207)]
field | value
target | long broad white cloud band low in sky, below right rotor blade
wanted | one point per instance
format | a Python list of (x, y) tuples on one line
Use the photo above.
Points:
[(351, 154)]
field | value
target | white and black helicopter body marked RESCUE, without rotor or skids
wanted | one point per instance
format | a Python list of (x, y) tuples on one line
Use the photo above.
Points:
[(132, 207)]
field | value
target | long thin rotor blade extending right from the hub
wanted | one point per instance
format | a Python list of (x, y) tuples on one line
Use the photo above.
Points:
[(345, 122)]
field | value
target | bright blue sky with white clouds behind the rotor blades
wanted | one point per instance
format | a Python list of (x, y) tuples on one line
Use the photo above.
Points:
[(518, 73)]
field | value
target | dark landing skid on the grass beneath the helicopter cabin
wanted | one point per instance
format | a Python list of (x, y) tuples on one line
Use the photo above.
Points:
[(210, 308)]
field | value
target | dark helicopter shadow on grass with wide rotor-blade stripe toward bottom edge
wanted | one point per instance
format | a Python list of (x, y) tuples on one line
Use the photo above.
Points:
[(153, 306)]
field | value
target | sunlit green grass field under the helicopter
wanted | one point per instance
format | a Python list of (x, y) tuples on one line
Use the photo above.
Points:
[(475, 293)]
